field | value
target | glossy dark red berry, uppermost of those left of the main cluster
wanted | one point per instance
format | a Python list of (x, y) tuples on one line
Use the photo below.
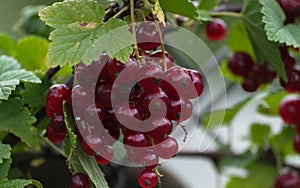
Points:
[(54, 99)]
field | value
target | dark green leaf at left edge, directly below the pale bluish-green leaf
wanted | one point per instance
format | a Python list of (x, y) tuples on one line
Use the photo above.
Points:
[(17, 120)]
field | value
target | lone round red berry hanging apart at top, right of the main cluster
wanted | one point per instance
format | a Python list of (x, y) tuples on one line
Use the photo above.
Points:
[(216, 30)]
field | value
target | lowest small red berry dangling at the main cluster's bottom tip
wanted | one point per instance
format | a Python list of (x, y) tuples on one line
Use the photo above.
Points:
[(147, 178)]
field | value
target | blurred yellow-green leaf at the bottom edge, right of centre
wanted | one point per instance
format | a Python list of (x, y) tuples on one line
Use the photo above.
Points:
[(259, 176)]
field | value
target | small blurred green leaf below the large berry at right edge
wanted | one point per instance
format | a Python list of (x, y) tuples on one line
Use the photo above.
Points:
[(283, 142)]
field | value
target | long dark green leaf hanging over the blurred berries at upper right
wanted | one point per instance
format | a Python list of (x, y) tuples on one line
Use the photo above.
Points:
[(265, 50)]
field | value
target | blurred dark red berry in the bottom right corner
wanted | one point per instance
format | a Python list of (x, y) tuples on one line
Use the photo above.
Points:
[(288, 180)]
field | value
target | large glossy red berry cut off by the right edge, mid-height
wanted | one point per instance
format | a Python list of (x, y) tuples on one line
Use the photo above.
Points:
[(290, 109)]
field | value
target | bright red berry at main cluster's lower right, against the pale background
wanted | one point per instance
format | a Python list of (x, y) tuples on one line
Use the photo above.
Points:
[(166, 149)]
